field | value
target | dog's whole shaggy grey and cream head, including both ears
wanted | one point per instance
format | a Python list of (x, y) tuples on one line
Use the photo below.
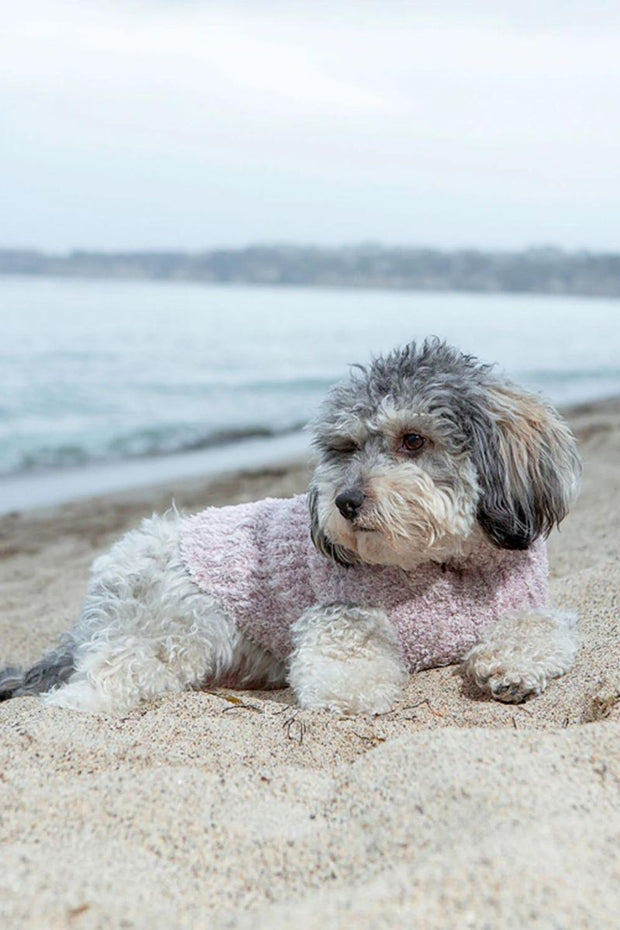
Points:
[(425, 450)]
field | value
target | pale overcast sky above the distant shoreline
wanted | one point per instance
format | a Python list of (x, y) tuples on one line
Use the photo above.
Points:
[(184, 124)]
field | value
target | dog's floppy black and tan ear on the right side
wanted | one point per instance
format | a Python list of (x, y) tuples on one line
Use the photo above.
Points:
[(528, 467)]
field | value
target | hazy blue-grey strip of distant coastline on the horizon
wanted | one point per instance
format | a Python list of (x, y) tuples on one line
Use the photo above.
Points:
[(531, 271)]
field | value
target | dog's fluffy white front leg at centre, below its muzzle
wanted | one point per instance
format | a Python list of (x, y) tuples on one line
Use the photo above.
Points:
[(346, 659)]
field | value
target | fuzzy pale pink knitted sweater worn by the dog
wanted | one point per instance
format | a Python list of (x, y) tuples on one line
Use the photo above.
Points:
[(259, 562)]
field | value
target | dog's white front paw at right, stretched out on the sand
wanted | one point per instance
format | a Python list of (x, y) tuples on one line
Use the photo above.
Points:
[(518, 656)]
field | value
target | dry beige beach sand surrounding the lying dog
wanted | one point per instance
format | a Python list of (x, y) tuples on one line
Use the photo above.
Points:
[(230, 809)]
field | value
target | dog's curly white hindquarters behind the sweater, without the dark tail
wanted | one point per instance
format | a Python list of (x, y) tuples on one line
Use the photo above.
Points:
[(146, 630)]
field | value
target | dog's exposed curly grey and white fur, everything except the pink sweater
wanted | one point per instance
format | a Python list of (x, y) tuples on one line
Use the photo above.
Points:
[(424, 455)]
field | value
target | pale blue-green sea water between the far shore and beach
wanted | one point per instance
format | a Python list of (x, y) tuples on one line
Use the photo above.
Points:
[(95, 372)]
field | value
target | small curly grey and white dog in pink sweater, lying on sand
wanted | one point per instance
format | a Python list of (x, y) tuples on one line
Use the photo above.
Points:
[(420, 543)]
